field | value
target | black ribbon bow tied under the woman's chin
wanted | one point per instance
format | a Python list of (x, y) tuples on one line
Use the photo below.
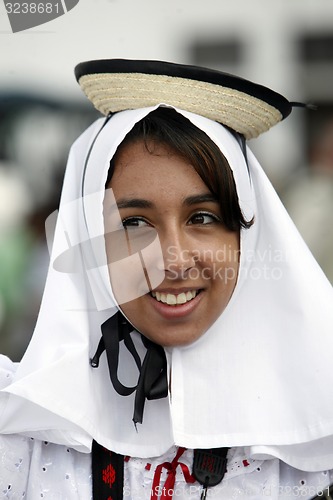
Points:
[(152, 380)]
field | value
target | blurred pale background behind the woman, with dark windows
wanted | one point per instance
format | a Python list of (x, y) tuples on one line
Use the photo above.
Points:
[(287, 45)]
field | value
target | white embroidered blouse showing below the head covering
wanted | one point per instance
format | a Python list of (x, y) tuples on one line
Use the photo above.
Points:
[(31, 469)]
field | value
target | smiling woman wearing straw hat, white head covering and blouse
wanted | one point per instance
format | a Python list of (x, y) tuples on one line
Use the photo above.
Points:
[(173, 253)]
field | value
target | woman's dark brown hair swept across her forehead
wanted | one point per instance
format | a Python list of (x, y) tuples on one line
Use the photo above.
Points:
[(166, 126)]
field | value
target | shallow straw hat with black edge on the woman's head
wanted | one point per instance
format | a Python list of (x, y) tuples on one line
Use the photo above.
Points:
[(114, 85)]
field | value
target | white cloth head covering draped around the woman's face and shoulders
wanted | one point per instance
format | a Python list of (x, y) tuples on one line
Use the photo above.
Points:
[(260, 377)]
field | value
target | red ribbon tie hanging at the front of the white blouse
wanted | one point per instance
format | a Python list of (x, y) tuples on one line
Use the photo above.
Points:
[(166, 493)]
